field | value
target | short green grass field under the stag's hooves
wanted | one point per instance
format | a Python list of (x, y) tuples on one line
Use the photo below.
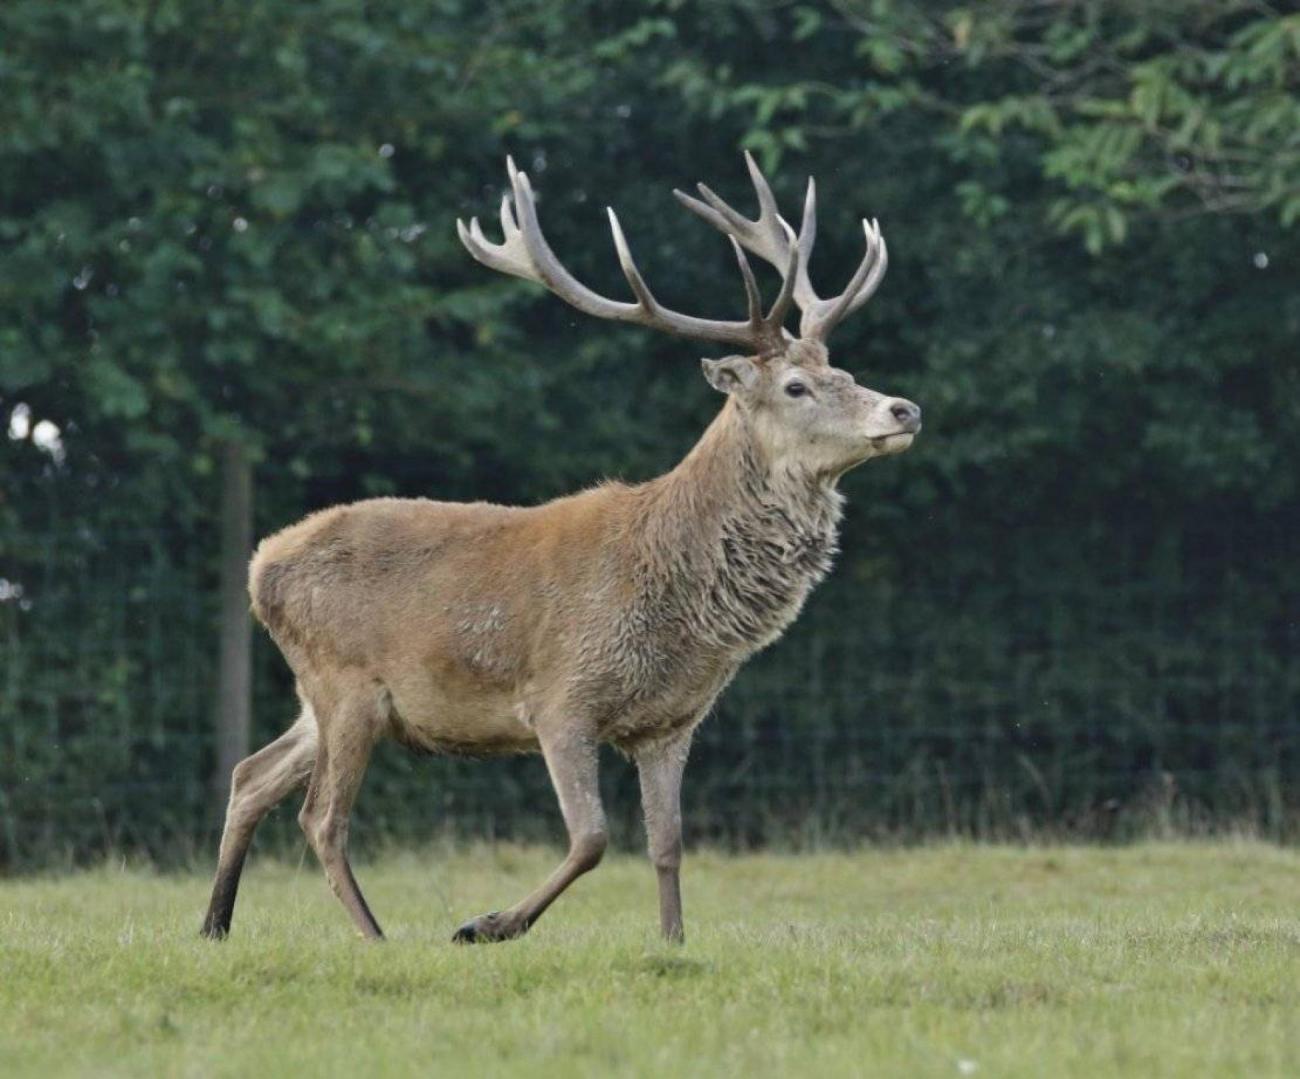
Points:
[(1155, 960)]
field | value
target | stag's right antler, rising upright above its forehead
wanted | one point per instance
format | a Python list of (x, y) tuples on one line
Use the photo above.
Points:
[(772, 239)]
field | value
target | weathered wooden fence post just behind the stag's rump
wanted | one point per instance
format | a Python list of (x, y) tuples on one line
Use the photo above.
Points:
[(235, 670)]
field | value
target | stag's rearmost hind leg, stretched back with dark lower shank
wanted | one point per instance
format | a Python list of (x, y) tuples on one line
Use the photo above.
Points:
[(257, 786)]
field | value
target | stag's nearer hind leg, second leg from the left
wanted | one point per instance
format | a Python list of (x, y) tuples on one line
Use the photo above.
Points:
[(348, 736)]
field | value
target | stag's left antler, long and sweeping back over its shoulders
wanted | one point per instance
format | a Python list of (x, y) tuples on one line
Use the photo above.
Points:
[(525, 253)]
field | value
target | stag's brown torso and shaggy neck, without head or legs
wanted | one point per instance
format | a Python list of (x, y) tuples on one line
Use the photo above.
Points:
[(640, 603)]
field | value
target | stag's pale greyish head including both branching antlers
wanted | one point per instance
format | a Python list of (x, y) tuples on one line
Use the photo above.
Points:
[(805, 414)]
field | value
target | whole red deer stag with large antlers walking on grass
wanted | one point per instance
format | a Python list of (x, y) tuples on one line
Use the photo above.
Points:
[(614, 616)]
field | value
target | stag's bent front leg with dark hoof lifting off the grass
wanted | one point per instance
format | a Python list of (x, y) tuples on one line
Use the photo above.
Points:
[(571, 759)]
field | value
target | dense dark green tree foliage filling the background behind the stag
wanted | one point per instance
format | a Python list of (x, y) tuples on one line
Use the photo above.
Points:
[(236, 222)]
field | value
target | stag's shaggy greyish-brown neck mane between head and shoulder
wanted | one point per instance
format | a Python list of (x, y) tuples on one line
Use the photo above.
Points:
[(730, 544)]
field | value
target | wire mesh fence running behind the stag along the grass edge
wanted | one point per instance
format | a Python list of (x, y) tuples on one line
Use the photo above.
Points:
[(1024, 699)]
